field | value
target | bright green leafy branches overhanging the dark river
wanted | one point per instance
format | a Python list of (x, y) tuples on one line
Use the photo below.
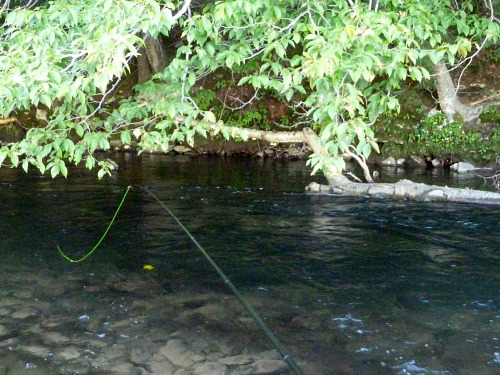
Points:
[(338, 64)]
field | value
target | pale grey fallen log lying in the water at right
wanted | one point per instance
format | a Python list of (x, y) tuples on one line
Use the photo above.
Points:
[(403, 190)]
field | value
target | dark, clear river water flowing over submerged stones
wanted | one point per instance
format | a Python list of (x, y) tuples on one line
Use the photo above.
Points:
[(348, 285)]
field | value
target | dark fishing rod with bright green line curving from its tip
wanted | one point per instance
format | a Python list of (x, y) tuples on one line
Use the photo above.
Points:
[(281, 349)]
